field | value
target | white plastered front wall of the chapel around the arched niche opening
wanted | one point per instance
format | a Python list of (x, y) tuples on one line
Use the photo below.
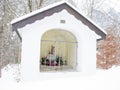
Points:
[(31, 36)]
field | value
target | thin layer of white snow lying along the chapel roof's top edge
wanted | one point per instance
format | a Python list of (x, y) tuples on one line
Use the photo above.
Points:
[(52, 6)]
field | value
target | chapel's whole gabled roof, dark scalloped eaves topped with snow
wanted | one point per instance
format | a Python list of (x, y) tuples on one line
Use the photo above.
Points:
[(56, 7)]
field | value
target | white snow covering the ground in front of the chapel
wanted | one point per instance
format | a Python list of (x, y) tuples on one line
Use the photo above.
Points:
[(102, 80)]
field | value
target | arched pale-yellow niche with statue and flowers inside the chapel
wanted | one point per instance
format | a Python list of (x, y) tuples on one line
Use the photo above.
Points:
[(58, 51)]
